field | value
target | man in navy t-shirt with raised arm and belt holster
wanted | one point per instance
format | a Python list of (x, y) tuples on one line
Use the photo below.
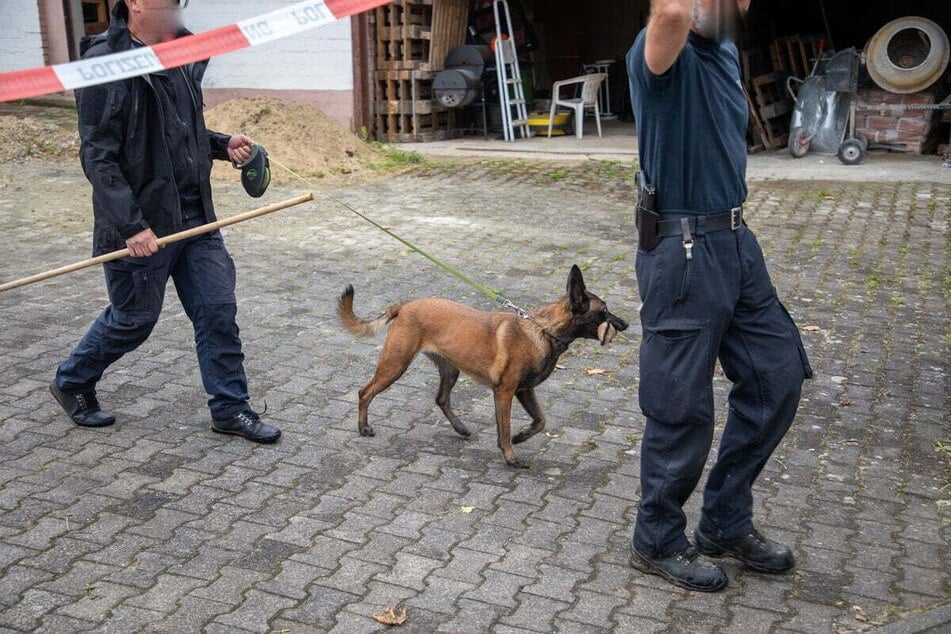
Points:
[(706, 295)]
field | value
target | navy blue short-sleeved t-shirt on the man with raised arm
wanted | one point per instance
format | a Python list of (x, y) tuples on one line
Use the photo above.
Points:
[(691, 126)]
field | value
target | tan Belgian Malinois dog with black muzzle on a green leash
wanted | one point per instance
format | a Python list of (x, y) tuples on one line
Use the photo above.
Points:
[(509, 353)]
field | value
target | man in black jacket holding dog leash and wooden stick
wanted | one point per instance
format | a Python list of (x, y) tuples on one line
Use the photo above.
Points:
[(148, 155)]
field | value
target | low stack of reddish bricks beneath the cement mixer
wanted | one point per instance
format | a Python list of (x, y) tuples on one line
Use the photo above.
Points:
[(910, 128)]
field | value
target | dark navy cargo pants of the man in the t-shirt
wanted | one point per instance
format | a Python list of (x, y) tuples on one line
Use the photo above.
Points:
[(719, 305)]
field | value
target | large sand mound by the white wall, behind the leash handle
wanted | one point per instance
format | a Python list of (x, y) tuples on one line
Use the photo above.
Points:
[(296, 134)]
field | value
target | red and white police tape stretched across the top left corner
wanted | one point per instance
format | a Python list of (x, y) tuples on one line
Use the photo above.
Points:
[(291, 20)]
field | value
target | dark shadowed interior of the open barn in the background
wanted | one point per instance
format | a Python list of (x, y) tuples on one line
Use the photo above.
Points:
[(560, 39)]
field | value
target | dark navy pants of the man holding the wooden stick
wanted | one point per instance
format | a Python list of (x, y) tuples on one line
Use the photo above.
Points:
[(204, 277)]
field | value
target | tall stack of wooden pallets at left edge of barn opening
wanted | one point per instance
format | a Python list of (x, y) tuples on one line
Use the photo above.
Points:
[(413, 38)]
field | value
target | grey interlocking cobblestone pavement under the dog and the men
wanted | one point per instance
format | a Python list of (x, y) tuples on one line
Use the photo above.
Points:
[(158, 525)]
